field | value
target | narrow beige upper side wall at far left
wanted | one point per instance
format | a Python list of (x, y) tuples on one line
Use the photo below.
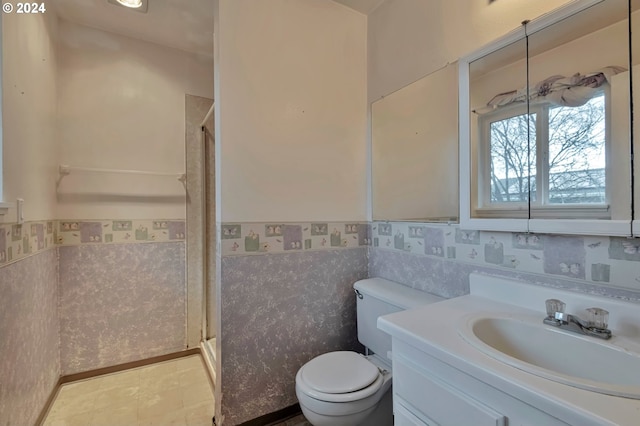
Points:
[(29, 111)]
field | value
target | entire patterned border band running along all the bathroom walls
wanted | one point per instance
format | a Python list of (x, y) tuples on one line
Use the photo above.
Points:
[(595, 259)]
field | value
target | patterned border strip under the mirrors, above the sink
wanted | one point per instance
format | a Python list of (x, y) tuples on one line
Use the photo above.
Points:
[(595, 259)]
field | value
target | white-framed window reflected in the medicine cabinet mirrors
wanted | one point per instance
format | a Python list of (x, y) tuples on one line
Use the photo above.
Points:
[(553, 160)]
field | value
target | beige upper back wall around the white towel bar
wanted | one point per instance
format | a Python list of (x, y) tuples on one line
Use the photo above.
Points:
[(121, 106)]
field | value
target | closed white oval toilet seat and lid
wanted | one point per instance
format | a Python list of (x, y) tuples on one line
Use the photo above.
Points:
[(342, 376)]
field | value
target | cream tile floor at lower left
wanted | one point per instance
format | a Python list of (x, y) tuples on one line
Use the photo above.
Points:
[(171, 393)]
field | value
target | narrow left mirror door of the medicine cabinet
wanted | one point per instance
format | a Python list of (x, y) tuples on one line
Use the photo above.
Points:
[(499, 166)]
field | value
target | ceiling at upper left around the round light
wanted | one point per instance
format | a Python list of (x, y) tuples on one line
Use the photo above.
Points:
[(182, 24)]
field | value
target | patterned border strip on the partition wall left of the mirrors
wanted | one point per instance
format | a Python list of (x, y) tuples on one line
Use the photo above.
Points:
[(278, 237)]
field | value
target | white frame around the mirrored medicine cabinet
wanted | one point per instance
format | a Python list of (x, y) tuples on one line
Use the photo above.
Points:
[(550, 226)]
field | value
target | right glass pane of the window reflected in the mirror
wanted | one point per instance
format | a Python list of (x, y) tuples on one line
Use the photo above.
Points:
[(577, 153)]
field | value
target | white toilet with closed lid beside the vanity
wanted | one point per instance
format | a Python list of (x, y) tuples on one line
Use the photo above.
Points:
[(346, 388)]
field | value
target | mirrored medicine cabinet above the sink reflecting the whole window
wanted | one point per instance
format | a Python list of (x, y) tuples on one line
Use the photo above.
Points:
[(549, 125)]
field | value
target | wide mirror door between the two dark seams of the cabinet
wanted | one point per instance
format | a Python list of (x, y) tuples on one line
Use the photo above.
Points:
[(579, 88)]
